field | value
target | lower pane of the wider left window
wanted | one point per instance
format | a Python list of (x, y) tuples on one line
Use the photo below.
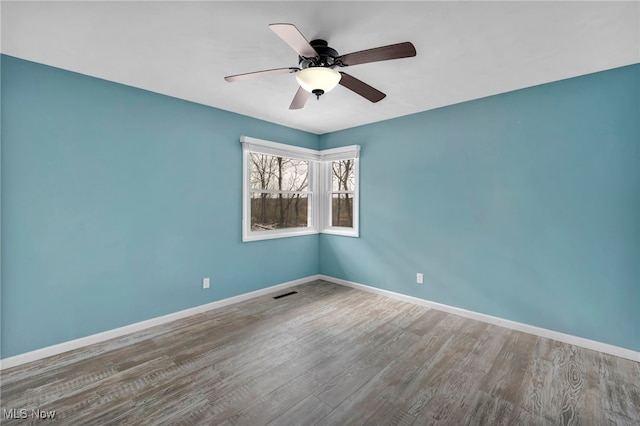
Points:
[(276, 211)]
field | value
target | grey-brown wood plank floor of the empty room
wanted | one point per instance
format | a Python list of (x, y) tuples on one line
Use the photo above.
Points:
[(328, 355)]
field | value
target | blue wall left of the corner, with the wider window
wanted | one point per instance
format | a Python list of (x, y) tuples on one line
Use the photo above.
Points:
[(116, 202)]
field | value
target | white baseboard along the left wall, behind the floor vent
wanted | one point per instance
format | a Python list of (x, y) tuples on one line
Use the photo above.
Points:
[(127, 329)]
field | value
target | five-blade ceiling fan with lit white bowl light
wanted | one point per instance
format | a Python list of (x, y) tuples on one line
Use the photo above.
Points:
[(317, 61)]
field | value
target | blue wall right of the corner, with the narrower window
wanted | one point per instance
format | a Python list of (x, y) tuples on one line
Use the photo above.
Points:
[(525, 206)]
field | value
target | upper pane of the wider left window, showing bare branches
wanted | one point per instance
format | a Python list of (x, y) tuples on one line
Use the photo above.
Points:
[(279, 173)]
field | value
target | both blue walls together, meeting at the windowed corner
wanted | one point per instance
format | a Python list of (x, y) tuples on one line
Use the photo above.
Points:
[(116, 202)]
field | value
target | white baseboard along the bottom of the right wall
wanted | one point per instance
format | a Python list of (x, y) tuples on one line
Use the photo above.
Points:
[(525, 328)]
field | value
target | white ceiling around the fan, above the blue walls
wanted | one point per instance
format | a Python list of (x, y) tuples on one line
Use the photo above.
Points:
[(466, 50)]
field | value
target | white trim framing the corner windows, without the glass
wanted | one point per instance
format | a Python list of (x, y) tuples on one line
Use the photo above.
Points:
[(319, 185)]
